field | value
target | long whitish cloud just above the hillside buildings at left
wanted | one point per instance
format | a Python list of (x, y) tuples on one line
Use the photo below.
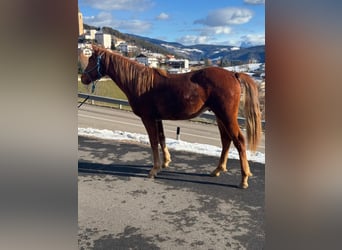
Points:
[(106, 19)]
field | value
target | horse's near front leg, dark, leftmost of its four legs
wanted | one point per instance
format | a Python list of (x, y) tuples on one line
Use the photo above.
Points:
[(152, 131)]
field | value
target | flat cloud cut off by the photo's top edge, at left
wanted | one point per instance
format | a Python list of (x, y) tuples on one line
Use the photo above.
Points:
[(131, 5)]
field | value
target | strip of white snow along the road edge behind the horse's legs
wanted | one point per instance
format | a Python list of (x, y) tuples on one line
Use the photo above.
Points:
[(171, 143)]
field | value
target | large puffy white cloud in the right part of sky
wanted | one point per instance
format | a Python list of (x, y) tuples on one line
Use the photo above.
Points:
[(226, 16)]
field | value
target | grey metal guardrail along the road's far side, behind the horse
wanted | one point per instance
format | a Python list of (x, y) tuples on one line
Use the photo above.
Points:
[(205, 115)]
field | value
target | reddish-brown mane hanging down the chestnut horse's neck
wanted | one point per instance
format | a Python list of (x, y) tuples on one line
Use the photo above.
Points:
[(133, 76)]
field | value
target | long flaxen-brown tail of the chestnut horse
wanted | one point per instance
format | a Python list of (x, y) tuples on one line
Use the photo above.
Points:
[(252, 110)]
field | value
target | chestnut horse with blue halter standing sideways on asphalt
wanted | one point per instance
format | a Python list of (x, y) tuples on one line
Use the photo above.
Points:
[(155, 95)]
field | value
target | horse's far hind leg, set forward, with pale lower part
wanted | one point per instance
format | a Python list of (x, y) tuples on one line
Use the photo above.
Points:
[(226, 141)]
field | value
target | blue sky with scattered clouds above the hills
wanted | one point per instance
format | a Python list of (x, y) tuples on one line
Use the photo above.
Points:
[(189, 22)]
